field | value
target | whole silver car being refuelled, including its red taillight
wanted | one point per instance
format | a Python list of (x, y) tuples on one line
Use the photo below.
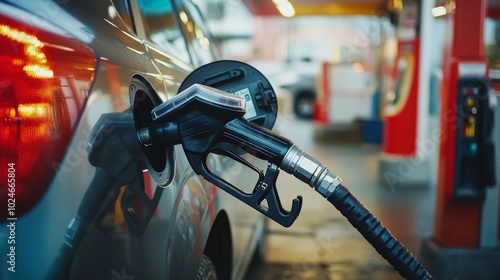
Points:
[(77, 204)]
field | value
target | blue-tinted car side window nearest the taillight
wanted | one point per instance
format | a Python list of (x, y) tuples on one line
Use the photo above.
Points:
[(162, 28)]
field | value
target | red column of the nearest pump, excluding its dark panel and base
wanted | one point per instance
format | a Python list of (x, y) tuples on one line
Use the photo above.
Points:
[(457, 221)]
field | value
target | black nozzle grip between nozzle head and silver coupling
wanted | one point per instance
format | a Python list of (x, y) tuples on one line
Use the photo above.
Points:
[(256, 140)]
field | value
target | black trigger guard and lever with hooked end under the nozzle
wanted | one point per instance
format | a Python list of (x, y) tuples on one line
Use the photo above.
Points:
[(265, 188)]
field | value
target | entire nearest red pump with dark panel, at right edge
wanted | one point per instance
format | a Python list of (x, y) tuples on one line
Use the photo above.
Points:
[(465, 209)]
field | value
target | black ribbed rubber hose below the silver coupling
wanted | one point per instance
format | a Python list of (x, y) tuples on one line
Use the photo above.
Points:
[(377, 235)]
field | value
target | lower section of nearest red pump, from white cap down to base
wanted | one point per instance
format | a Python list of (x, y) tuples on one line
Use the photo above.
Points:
[(468, 166)]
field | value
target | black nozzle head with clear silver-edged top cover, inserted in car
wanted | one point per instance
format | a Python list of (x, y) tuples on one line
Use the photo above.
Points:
[(195, 114)]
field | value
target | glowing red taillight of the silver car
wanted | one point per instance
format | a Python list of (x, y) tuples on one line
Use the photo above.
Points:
[(45, 77)]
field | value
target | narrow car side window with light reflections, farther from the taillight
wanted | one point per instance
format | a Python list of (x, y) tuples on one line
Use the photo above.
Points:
[(197, 34)]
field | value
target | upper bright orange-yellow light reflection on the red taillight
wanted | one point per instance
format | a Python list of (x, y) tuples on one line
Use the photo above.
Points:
[(36, 64)]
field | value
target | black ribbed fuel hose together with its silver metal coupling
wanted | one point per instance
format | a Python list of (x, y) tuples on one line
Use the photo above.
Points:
[(328, 184)]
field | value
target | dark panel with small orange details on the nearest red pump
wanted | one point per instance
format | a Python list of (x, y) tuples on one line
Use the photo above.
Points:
[(475, 152)]
